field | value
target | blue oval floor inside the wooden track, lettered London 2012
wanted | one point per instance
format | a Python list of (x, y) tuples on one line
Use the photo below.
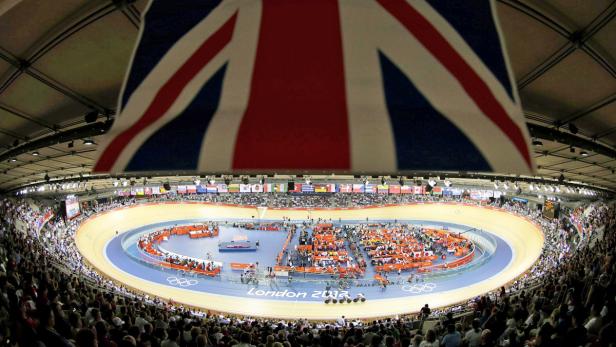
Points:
[(122, 252)]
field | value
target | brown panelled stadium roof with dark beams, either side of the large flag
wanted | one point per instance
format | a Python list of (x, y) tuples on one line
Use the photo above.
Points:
[(63, 60)]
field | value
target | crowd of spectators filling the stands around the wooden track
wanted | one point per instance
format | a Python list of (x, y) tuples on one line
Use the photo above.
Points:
[(51, 298)]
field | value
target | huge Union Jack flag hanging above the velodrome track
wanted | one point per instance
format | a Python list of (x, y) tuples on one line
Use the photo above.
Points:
[(318, 85)]
